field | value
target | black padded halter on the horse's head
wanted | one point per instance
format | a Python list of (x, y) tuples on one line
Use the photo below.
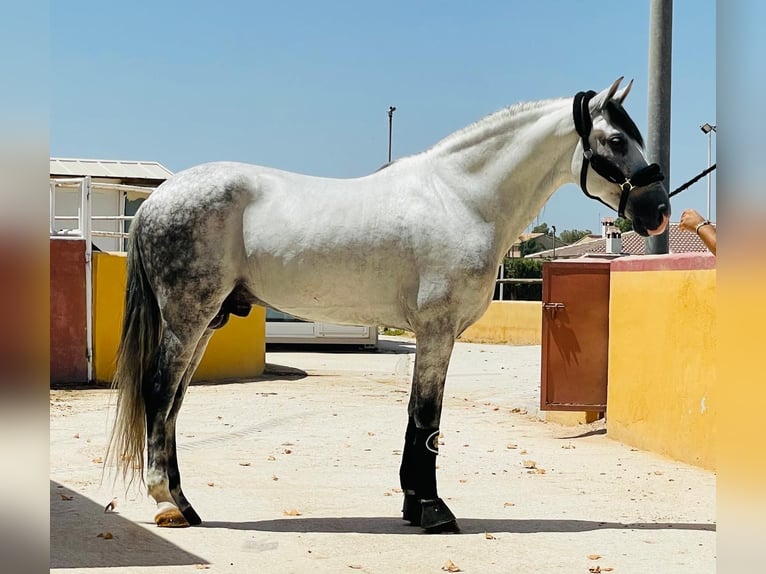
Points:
[(603, 165)]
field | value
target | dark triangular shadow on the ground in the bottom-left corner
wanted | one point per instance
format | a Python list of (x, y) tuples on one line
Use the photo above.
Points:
[(77, 522)]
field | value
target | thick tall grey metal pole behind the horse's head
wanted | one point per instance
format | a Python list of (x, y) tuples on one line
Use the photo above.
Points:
[(658, 132)]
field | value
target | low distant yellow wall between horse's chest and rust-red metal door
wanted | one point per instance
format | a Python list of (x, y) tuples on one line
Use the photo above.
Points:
[(509, 322)]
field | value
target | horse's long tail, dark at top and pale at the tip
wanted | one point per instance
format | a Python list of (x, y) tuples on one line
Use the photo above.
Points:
[(136, 360)]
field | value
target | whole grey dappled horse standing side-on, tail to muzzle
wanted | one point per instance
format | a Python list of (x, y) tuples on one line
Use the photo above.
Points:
[(415, 245)]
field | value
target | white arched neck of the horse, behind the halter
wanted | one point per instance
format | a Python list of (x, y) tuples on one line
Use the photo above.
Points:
[(510, 163)]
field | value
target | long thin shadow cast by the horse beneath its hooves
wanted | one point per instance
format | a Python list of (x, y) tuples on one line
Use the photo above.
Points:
[(380, 525)]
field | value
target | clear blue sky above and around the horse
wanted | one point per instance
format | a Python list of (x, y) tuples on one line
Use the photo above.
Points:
[(305, 86)]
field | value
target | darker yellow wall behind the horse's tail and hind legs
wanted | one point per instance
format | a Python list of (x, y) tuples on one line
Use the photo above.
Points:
[(238, 350)]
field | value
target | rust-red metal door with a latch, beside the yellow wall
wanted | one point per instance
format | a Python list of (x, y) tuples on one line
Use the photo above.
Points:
[(575, 335)]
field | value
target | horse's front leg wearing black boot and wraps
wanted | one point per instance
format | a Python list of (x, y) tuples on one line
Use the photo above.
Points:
[(422, 505)]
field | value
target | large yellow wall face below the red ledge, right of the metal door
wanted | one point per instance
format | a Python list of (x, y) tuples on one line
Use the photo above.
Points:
[(662, 367)]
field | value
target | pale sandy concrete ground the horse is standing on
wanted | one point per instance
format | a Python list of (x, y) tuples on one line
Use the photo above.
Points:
[(298, 472)]
